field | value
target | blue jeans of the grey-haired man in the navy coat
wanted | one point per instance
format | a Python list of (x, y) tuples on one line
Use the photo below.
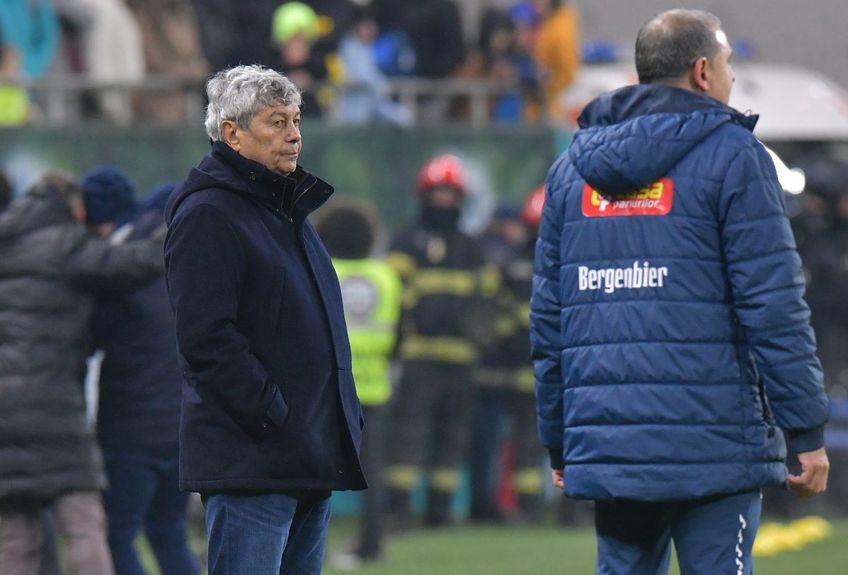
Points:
[(267, 534)]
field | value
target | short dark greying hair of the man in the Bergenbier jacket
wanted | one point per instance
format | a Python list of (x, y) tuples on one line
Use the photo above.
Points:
[(671, 42)]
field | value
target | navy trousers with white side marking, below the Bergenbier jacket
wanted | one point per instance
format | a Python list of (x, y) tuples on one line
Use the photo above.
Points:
[(712, 536)]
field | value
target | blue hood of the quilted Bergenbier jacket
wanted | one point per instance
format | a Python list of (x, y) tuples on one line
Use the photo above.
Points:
[(633, 136)]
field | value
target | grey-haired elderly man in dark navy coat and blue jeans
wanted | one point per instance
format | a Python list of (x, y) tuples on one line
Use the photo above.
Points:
[(271, 423)]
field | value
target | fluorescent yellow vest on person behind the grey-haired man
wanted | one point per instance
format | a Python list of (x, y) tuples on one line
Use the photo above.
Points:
[(371, 292)]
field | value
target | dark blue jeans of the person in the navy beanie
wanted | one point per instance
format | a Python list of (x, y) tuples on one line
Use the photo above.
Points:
[(144, 492)]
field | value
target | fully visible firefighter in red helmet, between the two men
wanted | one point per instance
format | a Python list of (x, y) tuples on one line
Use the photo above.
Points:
[(445, 280)]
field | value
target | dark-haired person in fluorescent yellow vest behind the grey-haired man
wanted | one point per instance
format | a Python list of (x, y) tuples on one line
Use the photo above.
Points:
[(371, 292)]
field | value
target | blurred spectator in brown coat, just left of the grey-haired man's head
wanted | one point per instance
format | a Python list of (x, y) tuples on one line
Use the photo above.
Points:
[(172, 48)]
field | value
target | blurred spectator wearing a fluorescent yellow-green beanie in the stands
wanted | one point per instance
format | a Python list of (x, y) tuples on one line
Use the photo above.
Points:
[(295, 28)]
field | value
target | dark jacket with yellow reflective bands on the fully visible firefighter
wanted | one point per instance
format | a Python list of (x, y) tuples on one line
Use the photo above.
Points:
[(445, 280)]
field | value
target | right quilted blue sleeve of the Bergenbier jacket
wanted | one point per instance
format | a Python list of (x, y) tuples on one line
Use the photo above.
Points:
[(767, 287)]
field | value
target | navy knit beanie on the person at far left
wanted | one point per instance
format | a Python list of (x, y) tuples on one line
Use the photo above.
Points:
[(109, 199)]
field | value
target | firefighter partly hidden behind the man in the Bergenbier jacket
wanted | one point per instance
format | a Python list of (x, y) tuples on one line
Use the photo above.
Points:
[(505, 405)]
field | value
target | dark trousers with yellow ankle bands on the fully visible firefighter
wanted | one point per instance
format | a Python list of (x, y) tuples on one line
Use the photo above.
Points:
[(429, 437)]
